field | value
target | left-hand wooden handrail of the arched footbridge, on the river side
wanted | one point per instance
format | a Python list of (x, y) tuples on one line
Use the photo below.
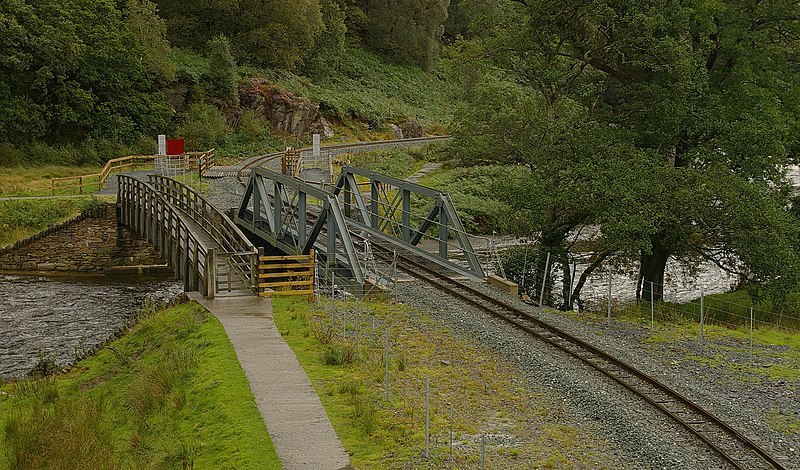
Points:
[(145, 210)]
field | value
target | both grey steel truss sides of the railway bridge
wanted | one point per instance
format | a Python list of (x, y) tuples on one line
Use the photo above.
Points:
[(275, 207)]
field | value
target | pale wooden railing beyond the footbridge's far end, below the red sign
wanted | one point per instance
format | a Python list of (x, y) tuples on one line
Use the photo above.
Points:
[(200, 161)]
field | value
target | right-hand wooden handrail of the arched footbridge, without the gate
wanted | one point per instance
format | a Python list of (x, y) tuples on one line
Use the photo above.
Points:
[(216, 224)]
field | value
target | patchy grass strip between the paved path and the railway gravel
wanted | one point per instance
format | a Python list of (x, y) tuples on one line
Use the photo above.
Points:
[(484, 395)]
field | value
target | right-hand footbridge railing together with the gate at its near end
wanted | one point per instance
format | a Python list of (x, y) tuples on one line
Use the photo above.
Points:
[(238, 259)]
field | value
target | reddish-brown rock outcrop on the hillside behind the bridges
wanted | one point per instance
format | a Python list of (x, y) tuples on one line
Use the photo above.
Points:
[(288, 113)]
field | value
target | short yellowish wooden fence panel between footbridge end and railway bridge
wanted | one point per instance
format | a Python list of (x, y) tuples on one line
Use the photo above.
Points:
[(286, 275)]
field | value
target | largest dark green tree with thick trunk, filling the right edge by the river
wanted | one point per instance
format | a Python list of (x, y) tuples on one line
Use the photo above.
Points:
[(705, 89)]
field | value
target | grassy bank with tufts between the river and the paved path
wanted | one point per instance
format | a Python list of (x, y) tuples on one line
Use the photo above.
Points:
[(169, 394)]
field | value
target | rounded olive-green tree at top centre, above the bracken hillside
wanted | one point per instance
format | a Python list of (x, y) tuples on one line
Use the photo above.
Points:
[(408, 29)]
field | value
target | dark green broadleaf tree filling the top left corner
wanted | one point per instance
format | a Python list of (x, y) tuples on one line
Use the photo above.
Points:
[(70, 70)]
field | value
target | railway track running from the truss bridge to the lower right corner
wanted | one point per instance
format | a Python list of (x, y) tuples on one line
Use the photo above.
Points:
[(733, 447)]
